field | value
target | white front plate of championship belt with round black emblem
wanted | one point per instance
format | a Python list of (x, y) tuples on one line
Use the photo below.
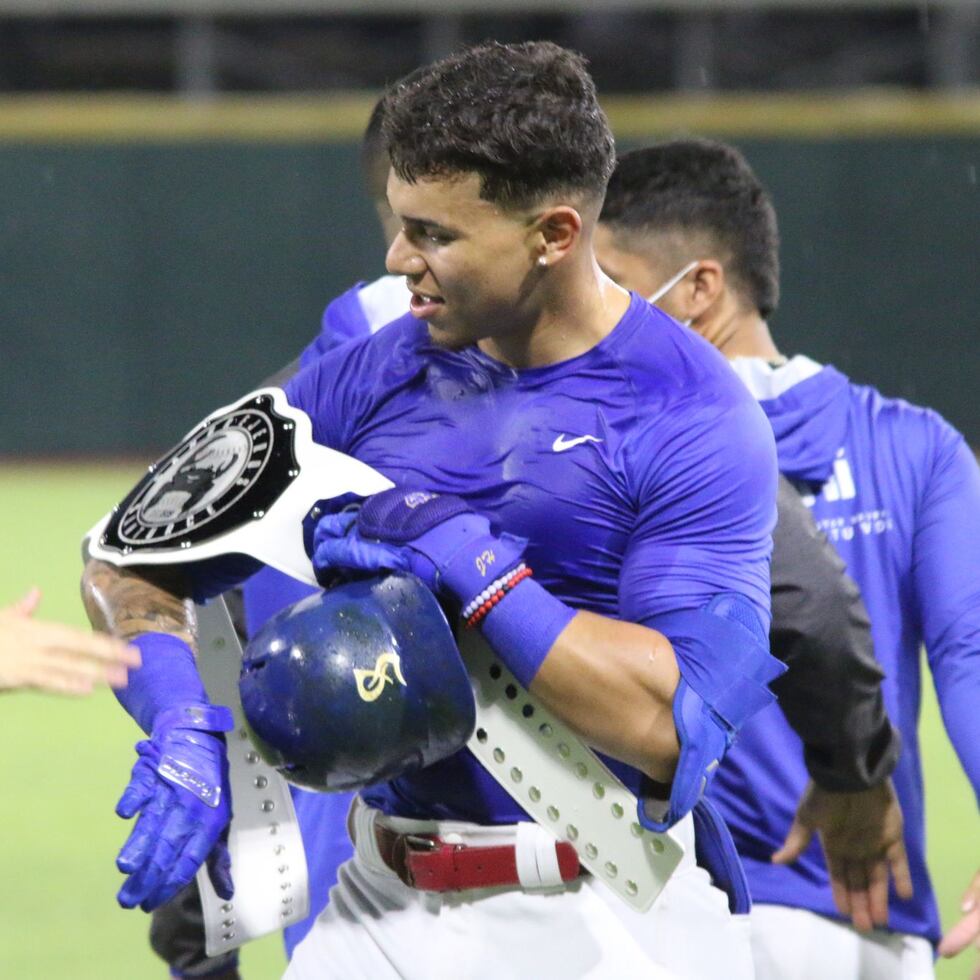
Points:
[(240, 482)]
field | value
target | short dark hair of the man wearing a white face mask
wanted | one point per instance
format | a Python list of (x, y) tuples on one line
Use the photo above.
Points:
[(699, 185)]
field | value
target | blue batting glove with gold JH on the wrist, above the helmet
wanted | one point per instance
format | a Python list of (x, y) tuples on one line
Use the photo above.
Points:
[(438, 538)]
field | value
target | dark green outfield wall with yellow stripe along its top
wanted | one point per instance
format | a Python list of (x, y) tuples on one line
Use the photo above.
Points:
[(157, 258)]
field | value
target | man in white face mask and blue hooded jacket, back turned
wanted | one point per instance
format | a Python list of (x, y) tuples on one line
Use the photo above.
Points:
[(898, 493)]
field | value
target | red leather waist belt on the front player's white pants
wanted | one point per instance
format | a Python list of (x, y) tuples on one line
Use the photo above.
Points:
[(433, 865)]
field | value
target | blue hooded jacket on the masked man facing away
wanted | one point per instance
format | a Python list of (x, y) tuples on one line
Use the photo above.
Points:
[(897, 491)]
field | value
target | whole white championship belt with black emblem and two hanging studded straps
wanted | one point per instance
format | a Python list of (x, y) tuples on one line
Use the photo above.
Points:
[(242, 482)]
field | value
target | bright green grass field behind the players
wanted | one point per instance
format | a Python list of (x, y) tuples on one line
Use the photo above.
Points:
[(64, 762)]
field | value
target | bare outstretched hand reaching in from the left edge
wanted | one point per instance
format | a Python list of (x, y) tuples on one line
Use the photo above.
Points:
[(56, 658)]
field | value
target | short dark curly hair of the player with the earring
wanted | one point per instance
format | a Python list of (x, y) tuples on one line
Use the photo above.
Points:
[(524, 117)]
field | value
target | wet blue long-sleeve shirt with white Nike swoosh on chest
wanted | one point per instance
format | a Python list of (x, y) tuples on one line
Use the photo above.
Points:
[(641, 472)]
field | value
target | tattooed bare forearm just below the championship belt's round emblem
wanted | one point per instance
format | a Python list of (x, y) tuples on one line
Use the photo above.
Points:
[(126, 601)]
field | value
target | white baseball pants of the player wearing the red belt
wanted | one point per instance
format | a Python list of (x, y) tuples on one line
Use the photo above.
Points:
[(377, 928)]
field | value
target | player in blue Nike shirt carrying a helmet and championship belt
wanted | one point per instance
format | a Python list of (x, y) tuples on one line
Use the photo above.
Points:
[(605, 442)]
